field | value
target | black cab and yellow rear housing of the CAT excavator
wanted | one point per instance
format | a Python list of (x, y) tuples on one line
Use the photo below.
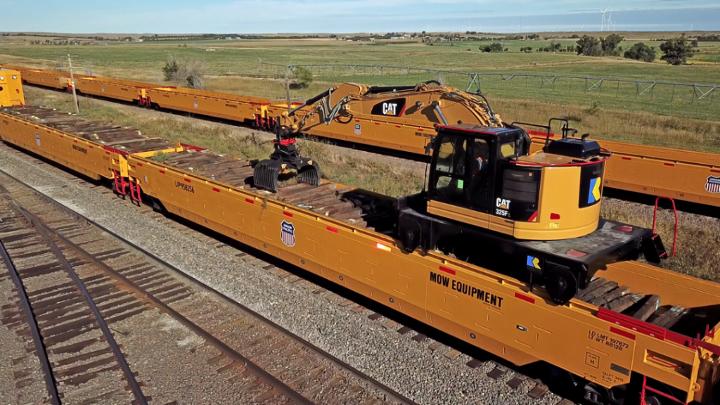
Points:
[(484, 177)]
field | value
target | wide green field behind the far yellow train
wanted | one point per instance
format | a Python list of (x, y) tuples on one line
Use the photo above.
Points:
[(664, 114)]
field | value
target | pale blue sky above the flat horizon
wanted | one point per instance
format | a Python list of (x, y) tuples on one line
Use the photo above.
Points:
[(344, 16)]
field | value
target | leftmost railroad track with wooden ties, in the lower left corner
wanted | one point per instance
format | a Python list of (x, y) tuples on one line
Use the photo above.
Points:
[(59, 308)]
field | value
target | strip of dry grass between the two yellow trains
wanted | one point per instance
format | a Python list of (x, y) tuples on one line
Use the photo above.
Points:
[(698, 235)]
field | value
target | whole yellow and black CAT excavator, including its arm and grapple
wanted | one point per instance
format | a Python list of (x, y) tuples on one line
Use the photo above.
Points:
[(488, 200)]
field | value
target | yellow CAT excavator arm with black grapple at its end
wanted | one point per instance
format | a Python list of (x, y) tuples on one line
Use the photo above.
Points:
[(391, 104)]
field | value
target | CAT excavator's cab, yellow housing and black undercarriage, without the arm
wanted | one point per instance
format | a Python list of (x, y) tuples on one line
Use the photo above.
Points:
[(534, 216)]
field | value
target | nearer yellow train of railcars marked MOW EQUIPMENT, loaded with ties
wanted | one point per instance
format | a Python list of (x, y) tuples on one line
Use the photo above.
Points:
[(634, 330)]
